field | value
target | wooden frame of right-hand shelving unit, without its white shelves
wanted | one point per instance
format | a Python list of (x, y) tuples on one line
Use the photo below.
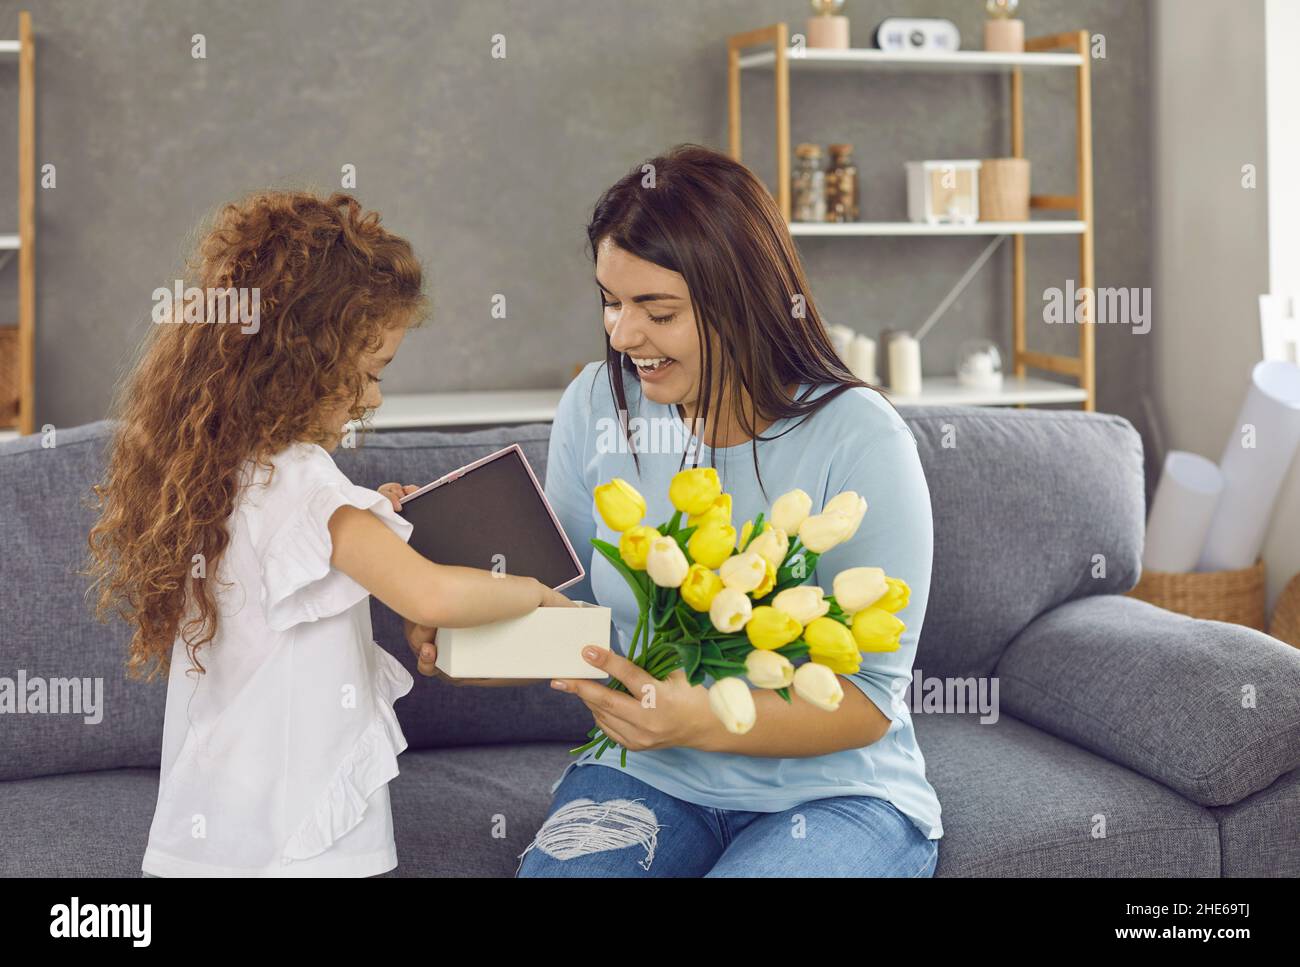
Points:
[(1081, 368)]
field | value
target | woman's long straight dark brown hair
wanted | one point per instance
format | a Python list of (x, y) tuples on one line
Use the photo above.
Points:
[(709, 219)]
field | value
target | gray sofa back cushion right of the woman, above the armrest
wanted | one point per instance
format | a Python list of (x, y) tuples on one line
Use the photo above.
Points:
[(1033, 509)]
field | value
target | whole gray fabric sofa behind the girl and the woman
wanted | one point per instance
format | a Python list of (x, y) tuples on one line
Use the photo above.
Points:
[(1129, 741)]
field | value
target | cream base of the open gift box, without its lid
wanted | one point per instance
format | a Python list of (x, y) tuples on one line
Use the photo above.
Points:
[(545, 644)]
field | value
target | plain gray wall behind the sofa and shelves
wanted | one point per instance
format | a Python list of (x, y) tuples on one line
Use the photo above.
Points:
[(492, 167)]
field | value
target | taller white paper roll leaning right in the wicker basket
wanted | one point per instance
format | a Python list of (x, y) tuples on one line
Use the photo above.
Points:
[(1255, 465)]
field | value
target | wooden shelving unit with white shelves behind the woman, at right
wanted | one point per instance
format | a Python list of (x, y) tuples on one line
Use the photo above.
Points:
[(1068, 51)]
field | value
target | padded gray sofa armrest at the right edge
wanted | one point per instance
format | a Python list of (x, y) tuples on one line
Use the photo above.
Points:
[(1210, 709)]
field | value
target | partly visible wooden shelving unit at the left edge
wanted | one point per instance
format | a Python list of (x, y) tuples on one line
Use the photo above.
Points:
[(18, 342)]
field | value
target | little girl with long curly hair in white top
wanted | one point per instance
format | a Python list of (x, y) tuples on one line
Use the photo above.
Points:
[(244, 560)]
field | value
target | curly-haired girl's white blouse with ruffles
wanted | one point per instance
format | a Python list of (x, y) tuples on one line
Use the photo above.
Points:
[(276, 762)]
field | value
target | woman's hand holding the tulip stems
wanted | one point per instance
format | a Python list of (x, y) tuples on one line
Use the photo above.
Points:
[(656, 714)]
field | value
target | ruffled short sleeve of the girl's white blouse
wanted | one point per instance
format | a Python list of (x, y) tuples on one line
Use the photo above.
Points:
[(298, 583)]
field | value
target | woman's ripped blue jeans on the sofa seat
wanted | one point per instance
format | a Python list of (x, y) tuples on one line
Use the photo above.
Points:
[(606, 823)]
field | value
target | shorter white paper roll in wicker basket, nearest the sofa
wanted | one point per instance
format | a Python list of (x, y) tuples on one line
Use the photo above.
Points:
[(1181, 513)]
